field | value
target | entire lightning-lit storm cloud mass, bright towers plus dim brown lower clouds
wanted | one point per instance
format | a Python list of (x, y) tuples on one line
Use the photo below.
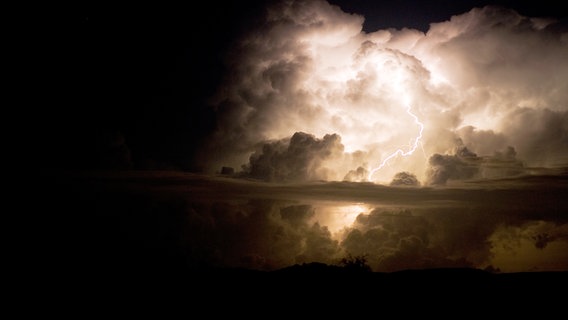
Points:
[(464, 127)]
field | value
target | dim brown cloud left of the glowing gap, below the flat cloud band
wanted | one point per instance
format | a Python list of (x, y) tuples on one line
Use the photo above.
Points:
[(256, 234)]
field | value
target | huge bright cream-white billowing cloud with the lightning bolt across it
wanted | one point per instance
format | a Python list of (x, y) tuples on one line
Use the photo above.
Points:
[(490, 77)]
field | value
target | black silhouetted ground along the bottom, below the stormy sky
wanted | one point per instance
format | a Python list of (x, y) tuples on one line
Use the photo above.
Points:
[(314, 289)]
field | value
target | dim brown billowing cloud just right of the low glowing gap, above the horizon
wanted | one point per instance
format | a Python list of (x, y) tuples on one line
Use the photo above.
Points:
[(398, 240)]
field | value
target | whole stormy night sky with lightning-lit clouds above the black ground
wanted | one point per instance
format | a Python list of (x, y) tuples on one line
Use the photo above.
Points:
[(414, 134)]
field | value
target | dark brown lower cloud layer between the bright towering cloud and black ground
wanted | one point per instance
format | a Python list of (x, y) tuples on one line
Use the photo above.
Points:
[(511, 224)]
